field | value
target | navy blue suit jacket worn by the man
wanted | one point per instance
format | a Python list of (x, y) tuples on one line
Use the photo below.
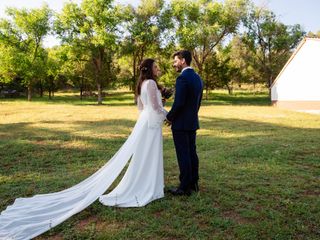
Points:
[(187, 101)]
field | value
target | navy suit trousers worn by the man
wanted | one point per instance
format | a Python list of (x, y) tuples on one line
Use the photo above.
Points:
[(188, 161)]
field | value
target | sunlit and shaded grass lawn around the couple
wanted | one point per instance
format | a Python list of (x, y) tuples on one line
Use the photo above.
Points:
[(259, 168)]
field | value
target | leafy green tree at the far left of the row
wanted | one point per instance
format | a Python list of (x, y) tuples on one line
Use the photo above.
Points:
[(23, 34)]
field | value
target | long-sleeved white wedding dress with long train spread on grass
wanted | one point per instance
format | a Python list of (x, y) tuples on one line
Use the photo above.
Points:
[(142, 182)]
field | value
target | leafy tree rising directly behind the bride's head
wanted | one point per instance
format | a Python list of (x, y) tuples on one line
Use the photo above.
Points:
[(145, 27)]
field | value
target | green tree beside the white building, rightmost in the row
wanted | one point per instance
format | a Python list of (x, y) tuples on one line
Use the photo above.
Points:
[(270, 42)]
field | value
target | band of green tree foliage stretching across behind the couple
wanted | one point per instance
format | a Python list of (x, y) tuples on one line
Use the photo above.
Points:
[(103, 43)]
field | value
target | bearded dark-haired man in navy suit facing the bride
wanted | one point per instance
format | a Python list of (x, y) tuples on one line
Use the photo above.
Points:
[(184, 121)]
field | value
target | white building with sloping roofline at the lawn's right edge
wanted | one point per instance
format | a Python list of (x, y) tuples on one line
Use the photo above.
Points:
[(298, 84)]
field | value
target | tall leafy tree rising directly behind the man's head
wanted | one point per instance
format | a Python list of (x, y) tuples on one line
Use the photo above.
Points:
[(203, 24)]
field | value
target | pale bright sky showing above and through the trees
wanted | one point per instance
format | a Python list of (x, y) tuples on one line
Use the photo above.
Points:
[(303, 12)]
